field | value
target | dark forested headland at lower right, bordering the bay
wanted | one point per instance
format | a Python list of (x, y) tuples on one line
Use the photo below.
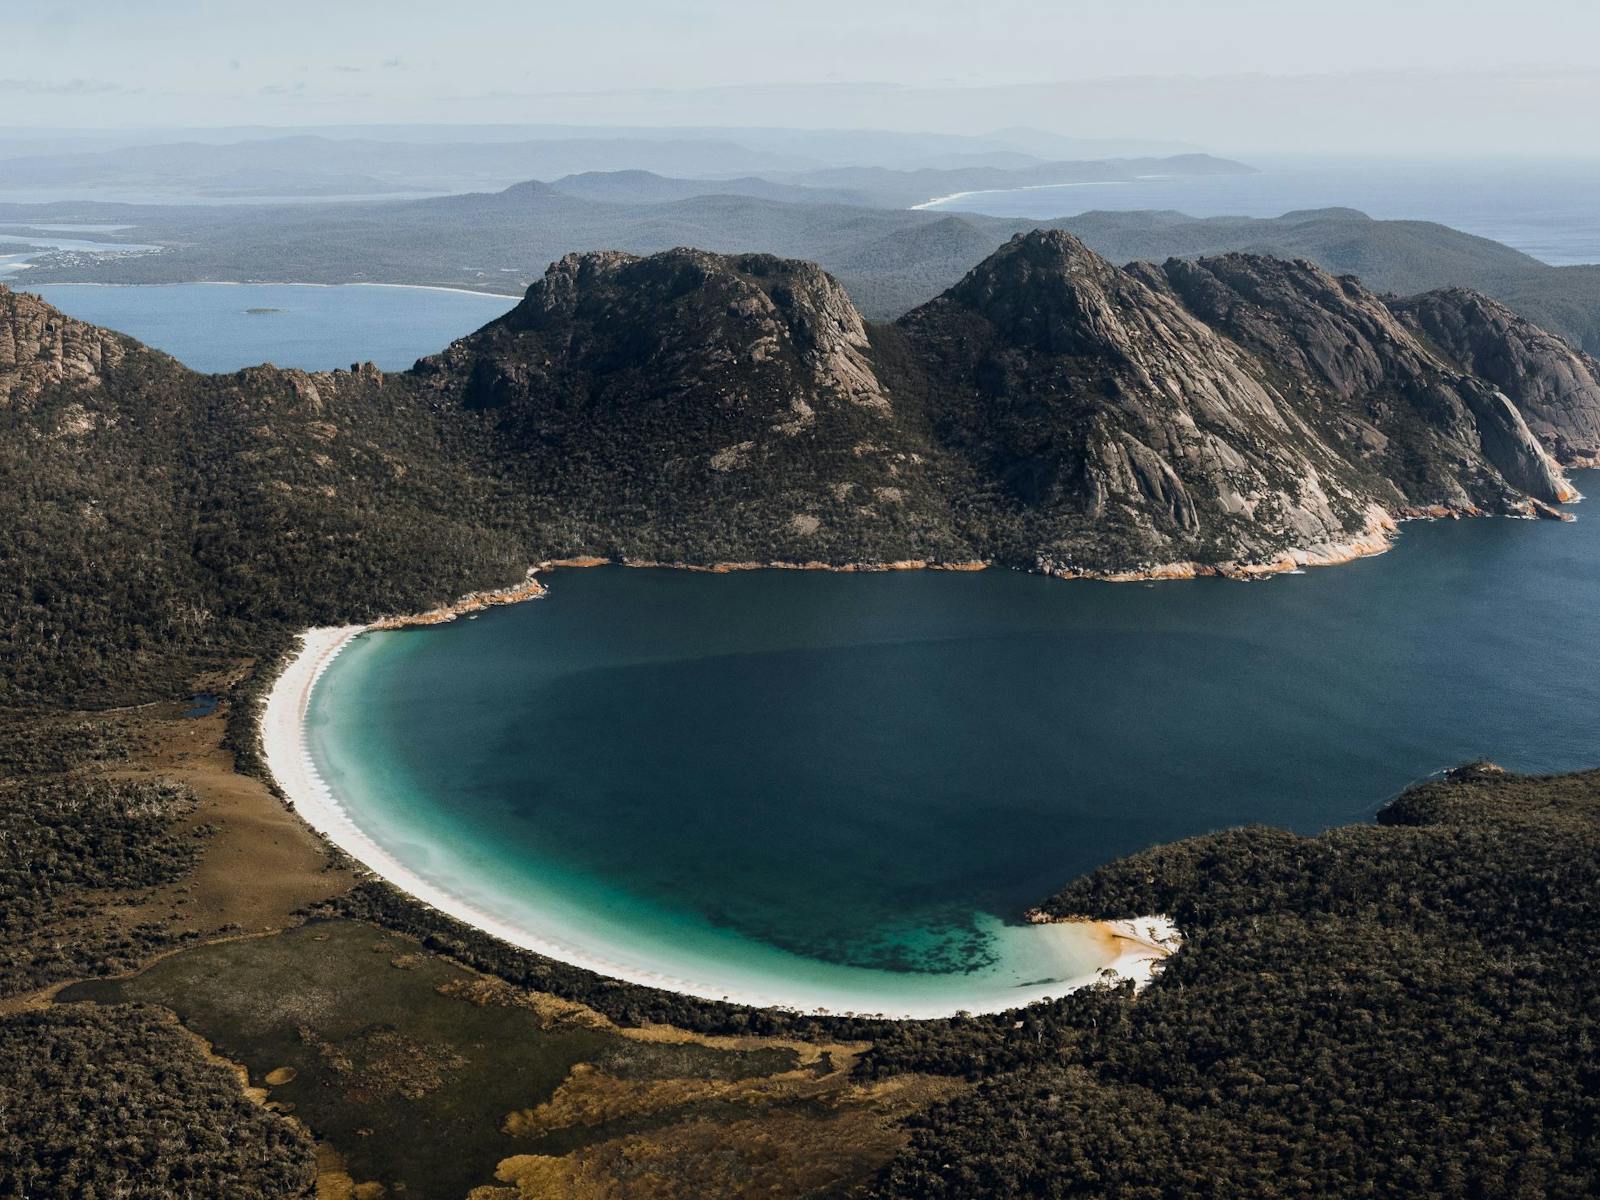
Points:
[(1393, 1010)]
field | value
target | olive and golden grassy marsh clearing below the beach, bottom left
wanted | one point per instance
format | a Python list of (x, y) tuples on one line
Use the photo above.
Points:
[(430, 1081)]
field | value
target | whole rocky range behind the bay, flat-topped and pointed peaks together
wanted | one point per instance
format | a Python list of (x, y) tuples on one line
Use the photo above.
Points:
[(1050, 412)]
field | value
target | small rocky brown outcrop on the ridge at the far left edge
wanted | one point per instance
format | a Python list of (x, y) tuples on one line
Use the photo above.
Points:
[(41, 348)]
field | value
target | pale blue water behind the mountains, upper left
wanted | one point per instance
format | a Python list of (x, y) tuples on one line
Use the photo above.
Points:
[(225, 327)]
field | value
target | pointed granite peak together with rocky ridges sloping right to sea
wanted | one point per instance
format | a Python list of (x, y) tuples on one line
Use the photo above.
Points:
[(1284, 415)]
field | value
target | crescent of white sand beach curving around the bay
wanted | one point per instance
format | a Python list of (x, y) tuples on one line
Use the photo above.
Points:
[(1134, 950)]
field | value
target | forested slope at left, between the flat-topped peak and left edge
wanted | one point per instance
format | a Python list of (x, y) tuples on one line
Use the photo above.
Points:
[(156, 521)]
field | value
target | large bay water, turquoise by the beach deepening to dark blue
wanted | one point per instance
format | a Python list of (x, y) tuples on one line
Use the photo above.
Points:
[(858, 783)]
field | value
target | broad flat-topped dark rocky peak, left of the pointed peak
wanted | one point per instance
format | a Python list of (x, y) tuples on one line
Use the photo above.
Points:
[(700, 386)]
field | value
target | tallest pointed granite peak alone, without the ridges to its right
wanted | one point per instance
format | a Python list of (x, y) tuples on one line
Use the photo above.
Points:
[(1119, 428)]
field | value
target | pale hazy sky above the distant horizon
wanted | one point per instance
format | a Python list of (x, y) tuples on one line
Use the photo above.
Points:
[(1223, 73)]
